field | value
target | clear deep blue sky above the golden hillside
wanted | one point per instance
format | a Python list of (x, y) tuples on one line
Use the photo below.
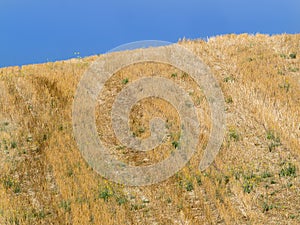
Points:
[(36, 31)]
